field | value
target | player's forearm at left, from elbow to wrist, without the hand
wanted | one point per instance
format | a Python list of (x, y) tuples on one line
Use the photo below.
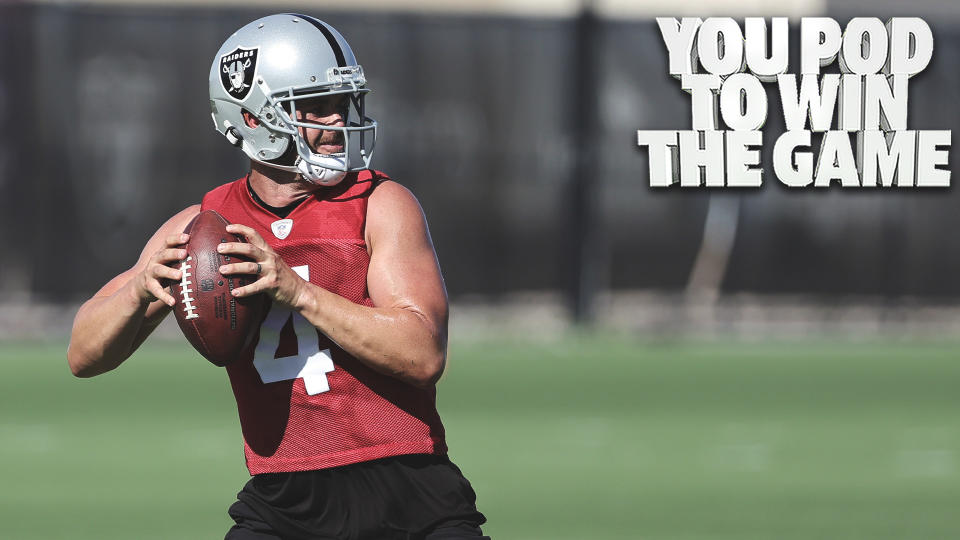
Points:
[(106, 331)]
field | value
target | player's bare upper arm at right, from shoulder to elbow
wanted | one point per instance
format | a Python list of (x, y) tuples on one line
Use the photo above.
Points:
[(404, 272)]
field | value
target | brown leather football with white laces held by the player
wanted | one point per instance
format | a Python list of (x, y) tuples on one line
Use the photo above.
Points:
[(217, 324)]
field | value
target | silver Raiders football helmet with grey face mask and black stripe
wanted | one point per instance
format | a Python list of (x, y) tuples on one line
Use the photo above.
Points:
[(266, 68)]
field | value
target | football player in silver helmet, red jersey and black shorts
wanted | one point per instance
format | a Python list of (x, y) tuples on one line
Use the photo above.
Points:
[(336, 394)]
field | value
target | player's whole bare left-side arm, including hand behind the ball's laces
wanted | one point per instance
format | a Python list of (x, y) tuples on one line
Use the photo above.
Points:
[(120, 316)]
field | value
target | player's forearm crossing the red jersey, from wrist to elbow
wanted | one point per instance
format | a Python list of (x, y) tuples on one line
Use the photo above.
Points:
[(397, 341)]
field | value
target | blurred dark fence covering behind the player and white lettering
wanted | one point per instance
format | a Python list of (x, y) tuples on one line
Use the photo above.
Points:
[(106, 133)]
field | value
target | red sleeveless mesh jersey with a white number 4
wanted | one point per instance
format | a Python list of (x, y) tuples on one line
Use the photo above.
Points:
[(305, 403)]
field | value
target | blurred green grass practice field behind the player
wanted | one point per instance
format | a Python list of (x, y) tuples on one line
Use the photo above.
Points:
[(588, 438)]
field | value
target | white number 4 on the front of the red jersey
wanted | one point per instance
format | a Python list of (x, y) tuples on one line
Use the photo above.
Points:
[(310, 363)]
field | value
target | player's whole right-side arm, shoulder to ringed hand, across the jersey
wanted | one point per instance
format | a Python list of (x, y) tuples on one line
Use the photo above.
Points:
[(405, 334)]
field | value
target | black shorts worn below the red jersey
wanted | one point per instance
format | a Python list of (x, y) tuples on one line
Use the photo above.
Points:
[(415, 497)]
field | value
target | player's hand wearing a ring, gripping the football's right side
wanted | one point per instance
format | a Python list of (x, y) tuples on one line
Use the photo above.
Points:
[(275, 277)]
